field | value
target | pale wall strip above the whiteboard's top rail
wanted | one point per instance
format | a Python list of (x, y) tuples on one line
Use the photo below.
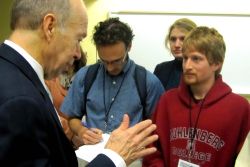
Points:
[(189, 6)]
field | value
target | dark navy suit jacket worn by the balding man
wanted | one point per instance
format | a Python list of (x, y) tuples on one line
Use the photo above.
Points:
[(30, 131)]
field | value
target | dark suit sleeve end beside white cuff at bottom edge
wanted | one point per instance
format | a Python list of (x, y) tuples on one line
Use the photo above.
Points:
[(101, 161)]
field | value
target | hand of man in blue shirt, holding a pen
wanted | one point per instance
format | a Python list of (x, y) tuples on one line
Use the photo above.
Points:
[(90, 136)]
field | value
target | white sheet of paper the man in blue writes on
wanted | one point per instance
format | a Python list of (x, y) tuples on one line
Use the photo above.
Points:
[(89, 152)]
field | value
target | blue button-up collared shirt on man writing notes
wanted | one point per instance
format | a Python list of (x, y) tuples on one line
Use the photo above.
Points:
[(110, 97)]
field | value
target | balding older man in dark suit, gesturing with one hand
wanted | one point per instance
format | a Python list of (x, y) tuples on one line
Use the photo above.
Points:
[(45, 41)]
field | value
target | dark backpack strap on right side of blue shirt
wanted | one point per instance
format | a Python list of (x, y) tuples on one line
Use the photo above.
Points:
[(141, 85)]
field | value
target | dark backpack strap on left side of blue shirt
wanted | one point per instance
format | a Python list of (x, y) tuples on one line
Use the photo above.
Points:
[(89, 79)]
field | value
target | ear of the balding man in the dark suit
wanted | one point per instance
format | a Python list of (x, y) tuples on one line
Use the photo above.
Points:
[(48, 26)]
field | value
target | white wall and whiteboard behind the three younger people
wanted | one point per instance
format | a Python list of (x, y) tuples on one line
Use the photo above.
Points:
[(150, 26)]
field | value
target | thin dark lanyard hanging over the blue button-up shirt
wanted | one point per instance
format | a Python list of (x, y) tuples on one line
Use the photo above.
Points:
[(113, 100)]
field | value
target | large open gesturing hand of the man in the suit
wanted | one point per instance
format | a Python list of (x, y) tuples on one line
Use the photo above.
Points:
[(130, 143)]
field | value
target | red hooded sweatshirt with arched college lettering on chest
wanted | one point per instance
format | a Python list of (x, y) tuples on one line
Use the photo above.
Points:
[(220, 122)]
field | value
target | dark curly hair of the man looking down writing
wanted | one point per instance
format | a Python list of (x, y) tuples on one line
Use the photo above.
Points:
[(112, 31)]
